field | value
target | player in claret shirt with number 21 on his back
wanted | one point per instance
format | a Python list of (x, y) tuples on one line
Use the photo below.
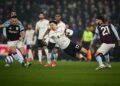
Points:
[(108, 37)]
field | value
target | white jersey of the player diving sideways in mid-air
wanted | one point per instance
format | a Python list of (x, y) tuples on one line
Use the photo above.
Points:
[(59, 38)]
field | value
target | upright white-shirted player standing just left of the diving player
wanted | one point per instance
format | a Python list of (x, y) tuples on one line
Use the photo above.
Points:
[(41, 26)]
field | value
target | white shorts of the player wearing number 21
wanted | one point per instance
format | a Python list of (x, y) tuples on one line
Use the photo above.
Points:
[(104, 48)]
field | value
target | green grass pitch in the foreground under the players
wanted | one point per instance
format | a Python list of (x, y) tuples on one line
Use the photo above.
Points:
[(67, 73)]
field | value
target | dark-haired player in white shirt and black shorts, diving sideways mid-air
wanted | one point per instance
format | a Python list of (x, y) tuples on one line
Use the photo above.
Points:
[(63, 41)]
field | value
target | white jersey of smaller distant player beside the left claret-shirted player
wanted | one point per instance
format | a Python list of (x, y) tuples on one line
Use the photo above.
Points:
[(29, 37)]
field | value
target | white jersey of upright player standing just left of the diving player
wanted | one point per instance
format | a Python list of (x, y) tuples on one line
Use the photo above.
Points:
[(42, 26)]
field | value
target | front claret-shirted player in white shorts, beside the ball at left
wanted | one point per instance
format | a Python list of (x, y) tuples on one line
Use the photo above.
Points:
[(15, 36)]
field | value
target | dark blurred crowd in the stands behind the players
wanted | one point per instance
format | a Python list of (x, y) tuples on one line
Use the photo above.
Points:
[(78, 14)]
